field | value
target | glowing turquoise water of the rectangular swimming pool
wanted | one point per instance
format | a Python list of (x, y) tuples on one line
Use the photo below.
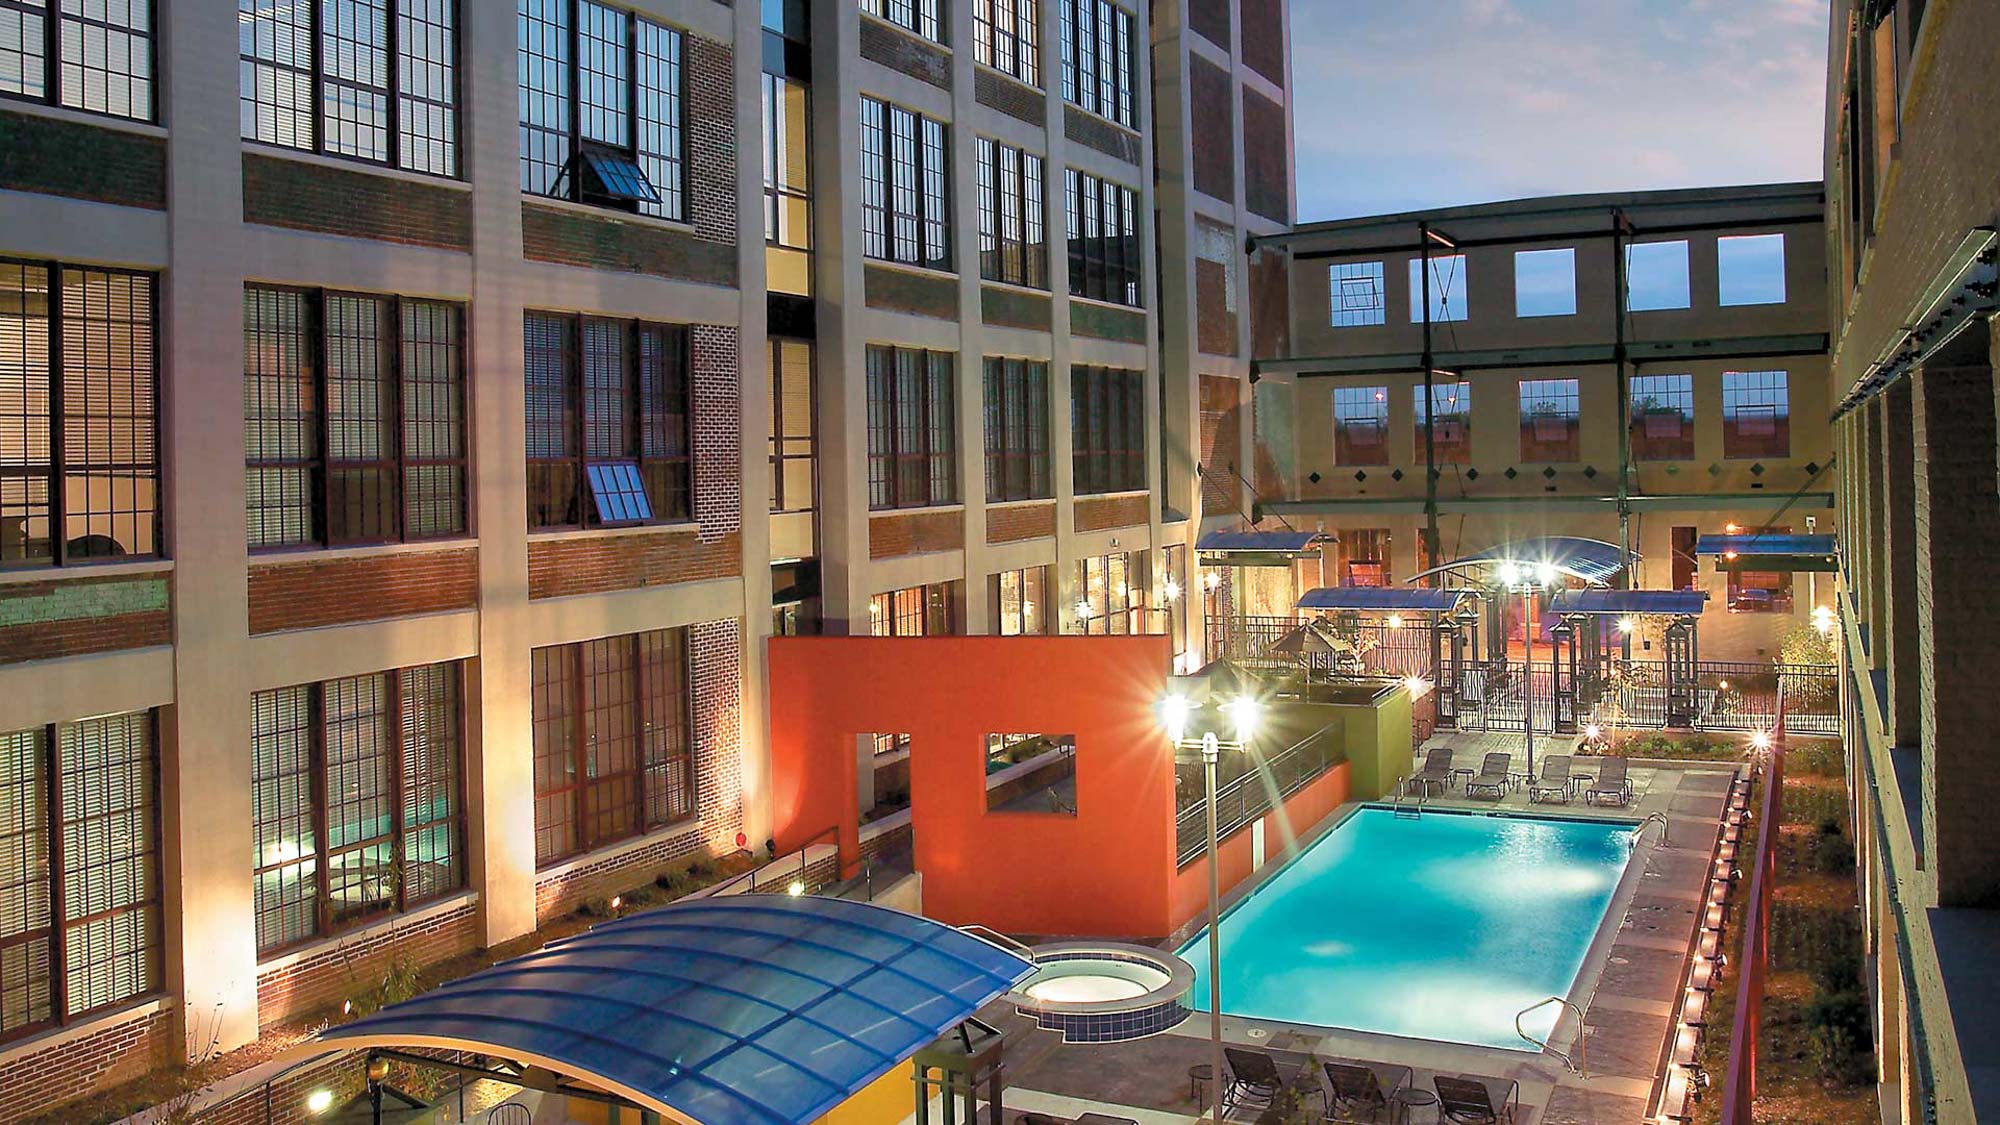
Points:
[(1437, 928)]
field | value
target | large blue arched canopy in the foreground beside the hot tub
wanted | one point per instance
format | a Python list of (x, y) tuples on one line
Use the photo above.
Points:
[(749, 1010)]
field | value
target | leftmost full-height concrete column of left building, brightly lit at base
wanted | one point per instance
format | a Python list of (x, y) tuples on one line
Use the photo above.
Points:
[(211, 944)]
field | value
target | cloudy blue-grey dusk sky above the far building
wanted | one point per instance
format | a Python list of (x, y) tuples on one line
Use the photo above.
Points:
[(1431, 103)]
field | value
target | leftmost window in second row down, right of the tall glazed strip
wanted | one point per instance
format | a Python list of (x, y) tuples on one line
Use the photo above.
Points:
[(907, 203)]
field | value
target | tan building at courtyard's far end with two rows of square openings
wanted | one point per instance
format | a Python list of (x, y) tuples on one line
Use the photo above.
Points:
[(1641, 369)]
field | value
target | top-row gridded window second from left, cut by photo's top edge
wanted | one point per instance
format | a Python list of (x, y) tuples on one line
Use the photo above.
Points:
[(363, 79)]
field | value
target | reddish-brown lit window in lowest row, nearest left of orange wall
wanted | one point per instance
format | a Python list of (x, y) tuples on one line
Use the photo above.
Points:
[(613, 742)]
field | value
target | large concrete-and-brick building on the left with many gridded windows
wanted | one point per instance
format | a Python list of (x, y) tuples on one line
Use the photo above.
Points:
[(401, 475)]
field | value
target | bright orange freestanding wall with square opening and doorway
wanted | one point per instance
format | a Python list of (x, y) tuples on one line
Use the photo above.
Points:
[(1107, 872)]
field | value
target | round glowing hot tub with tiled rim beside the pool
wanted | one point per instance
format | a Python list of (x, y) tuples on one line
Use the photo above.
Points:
[(1097, 992)]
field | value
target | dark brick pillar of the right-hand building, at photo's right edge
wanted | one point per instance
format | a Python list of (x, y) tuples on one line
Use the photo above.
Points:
[(1959, 644)]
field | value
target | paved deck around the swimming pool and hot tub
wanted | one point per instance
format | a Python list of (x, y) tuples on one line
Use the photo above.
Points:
[(1627, 988)]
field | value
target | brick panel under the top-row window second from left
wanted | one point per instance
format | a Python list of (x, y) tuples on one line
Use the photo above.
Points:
[(359, 205)]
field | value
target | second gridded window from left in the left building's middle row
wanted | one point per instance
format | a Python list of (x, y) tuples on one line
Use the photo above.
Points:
[(355, 417)]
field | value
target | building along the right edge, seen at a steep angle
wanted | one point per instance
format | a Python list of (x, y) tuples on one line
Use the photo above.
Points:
[(1913, 183)]
